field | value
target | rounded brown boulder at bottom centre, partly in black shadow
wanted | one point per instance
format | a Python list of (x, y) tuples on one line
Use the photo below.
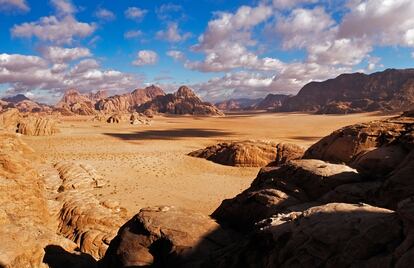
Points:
[(166, 237)]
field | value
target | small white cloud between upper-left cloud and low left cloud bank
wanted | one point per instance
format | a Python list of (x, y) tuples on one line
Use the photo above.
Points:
[(61, 55)]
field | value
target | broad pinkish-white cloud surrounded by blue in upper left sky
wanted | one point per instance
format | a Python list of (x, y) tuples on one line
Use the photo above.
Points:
[(53, 29)]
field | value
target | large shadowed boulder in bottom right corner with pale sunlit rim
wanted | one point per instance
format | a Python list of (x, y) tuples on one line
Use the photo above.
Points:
[(332, 235)]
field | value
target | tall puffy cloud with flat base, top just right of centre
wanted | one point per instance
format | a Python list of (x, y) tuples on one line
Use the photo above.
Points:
[(227, 38)]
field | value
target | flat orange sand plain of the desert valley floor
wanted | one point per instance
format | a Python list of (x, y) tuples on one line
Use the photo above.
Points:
[(147, 165)]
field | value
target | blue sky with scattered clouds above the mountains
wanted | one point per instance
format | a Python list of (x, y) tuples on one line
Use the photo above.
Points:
[(222, 49)]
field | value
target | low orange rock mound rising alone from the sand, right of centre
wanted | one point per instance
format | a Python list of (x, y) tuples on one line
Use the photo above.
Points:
[(250, 153)]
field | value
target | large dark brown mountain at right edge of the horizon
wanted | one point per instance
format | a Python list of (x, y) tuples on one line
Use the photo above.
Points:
[(390, 90)]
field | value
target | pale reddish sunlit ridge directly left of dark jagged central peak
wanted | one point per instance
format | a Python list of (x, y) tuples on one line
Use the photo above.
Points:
[(130, 101)]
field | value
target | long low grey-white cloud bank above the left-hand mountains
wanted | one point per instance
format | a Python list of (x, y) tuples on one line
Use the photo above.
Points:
[(27, 73)]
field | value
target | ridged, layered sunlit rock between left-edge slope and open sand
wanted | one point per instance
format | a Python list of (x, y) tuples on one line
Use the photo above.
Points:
[(82, 218)]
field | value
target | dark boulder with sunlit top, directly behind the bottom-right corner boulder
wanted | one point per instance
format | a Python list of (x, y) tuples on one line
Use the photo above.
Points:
[(294, 186)]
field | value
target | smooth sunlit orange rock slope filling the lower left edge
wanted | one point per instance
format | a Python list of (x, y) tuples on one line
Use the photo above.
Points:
[(26, 225)]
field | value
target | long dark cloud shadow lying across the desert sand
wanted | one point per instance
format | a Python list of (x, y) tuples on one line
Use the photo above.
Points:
[(171, 134)]
